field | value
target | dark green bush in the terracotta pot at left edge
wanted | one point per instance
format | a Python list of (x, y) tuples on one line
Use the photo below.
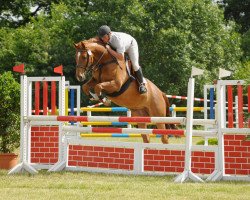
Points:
[(10, 113)]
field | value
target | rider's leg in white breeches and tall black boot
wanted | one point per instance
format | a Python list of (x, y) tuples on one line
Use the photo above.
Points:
[(134, 57)]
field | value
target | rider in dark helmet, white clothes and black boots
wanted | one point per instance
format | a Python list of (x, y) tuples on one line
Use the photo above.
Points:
[(123, 42)]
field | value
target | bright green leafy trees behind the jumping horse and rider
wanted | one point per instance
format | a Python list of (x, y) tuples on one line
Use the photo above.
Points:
[(173, 36)]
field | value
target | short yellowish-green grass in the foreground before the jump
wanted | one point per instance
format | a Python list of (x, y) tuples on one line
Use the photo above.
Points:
[(69, 185)]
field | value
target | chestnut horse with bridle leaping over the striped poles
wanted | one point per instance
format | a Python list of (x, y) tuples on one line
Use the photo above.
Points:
[(112, 78)]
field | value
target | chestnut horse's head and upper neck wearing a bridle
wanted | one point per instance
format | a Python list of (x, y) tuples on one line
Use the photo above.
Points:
[(87, 56)]
